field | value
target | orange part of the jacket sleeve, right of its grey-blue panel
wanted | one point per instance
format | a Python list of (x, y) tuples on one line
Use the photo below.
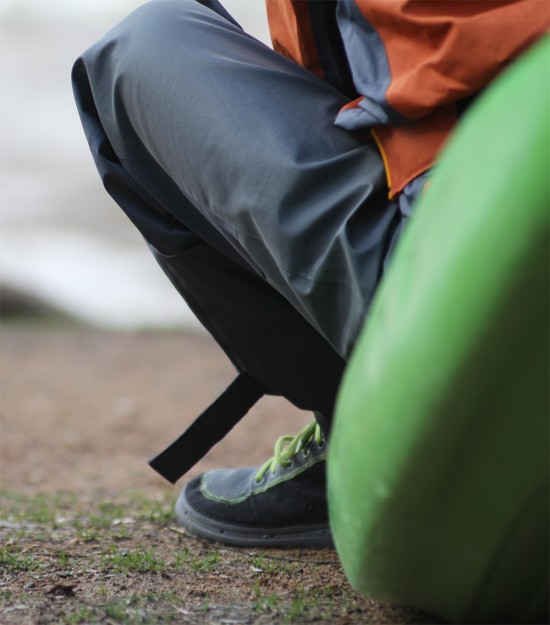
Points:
[(442, 51)]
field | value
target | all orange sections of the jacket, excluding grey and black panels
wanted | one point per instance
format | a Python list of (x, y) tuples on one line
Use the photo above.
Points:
[(438, 52)]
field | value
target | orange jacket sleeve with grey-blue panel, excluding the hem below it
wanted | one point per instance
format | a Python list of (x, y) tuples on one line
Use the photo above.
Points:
[(410, 57)]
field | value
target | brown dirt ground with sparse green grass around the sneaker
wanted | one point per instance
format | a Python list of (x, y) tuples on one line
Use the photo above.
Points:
[(86, 530)]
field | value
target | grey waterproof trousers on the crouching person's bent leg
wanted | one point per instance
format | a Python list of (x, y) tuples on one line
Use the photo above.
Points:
[(225, 156)]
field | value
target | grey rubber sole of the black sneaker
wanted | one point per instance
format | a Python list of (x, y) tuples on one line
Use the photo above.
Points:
[(309, 536)]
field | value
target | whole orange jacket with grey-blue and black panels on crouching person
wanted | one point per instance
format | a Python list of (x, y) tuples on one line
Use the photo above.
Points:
[(411, 63)]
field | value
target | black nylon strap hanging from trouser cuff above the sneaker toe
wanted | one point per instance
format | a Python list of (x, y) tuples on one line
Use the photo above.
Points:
[(208, 428)]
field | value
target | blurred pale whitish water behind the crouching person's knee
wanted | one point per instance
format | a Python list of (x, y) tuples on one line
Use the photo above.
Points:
[(62, 239)]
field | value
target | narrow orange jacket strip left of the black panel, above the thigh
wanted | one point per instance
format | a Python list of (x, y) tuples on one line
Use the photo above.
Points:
[(291, 34)]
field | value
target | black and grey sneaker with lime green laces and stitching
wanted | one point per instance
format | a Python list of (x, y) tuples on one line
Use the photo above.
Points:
[(280, 504)]
